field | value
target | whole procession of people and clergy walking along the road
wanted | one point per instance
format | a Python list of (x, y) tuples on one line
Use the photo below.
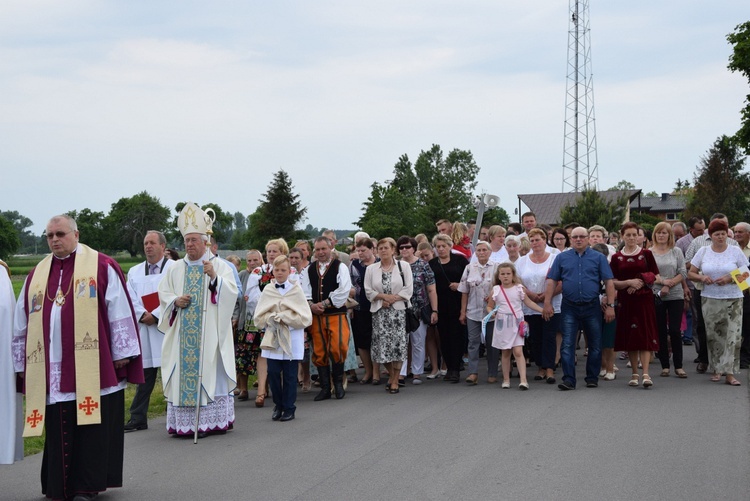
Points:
[(388, 311)]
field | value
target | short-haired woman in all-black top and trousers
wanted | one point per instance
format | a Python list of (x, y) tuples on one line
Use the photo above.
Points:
[(448, 269)]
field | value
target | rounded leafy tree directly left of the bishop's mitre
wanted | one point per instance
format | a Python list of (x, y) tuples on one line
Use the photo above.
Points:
[(130, 219)]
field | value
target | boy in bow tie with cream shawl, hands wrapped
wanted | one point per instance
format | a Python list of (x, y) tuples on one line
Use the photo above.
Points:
[(284, 312)]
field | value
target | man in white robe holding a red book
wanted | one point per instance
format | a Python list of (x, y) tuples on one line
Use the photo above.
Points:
[(143, 281)]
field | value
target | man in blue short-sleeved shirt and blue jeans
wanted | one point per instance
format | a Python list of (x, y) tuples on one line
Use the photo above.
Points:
[(582, 271)]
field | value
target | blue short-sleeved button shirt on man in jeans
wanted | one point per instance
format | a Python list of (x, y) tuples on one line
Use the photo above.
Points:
[(581, 274)]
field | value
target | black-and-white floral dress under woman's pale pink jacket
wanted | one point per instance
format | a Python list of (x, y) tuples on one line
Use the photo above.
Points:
[(389, 339)]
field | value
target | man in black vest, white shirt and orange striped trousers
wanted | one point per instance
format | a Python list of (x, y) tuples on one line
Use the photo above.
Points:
[(326, 291)]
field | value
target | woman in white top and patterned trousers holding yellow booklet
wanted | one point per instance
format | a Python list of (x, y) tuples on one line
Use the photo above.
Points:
[(721, 301)]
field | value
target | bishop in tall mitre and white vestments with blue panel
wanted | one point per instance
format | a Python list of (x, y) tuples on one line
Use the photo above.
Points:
[(197, 296)]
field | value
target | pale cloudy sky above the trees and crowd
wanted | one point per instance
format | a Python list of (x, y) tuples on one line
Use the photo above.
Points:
[(205, 101)]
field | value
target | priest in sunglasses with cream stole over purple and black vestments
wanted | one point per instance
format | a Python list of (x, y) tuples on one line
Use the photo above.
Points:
[(76, 353)]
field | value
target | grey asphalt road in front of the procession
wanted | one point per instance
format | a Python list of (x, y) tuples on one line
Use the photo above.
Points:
[(683, 439)]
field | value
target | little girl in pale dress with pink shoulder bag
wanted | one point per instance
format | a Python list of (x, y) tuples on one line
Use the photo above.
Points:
[(508, 295)]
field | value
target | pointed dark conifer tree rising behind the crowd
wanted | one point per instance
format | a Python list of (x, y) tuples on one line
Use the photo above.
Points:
[(278, 215)]
